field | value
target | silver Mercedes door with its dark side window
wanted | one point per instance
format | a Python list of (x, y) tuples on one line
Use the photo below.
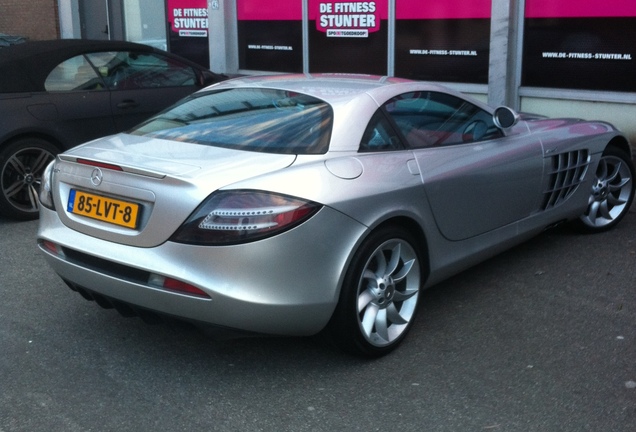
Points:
[(476, 178)]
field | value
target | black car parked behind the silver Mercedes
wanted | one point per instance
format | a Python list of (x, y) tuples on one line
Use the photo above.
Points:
[(57, 94)]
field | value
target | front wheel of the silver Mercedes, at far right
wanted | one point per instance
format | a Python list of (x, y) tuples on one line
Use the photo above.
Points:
[(612, 192)]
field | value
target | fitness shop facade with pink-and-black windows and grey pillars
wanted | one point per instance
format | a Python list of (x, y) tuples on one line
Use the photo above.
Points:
[(571, 57)]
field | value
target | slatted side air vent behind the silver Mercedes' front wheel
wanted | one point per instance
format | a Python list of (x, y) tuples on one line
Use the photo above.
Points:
[(567, 172)]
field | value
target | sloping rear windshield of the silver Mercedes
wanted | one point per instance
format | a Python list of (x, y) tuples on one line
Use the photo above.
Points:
[(263, 120)]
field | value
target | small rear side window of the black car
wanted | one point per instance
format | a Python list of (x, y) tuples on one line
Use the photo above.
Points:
[(73, 74)]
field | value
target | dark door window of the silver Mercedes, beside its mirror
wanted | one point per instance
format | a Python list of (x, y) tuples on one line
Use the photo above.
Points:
[(429, 119)]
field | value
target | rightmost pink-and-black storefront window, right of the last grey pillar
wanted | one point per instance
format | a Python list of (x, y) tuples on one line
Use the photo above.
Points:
[(580, 44)]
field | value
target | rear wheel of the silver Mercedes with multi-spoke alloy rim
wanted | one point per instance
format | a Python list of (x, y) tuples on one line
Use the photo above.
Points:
[(379, 296)]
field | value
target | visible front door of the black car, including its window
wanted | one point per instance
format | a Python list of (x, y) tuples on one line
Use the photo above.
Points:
[(143, 83)]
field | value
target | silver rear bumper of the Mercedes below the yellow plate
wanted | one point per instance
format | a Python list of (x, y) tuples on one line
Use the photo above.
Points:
[(284, 285)]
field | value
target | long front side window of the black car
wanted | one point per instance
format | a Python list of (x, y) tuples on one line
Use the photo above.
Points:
[(132, 70)]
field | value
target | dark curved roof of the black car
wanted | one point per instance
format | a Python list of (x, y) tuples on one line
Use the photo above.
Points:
[(24, 67)]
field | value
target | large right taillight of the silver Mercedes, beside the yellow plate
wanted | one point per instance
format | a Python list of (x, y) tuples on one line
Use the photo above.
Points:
[(231, 217)]
